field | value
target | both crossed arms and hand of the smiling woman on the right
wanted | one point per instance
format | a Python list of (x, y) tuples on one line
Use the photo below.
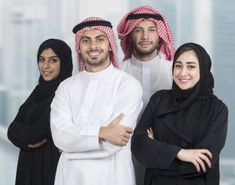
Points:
[(172, 160)]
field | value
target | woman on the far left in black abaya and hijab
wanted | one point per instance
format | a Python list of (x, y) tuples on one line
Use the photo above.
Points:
[(30, 130)]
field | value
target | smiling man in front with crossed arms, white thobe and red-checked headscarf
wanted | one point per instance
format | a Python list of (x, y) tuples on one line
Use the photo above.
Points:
[(94, 112)]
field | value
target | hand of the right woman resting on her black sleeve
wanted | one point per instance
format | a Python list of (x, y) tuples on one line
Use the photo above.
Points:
[(198, 157)]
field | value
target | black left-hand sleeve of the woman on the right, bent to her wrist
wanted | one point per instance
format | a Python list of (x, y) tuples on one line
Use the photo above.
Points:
[(151, 153)]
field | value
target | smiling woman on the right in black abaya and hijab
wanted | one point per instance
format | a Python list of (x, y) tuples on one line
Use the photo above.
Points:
[(182, 131)]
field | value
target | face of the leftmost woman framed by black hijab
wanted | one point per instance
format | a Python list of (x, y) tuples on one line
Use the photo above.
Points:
[(49, 64)]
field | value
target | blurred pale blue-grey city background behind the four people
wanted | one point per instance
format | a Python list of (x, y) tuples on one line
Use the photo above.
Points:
[(24, 24)]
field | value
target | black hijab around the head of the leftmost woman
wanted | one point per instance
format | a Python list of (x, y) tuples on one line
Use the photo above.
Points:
[(44, 88)]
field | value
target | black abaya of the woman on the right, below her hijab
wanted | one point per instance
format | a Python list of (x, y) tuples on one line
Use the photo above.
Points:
[(175, 131)]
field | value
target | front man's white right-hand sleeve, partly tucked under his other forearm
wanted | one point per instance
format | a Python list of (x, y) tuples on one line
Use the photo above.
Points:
[(130, 103)]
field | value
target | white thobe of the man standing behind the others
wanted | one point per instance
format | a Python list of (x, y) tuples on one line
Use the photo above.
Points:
[(154, 75)]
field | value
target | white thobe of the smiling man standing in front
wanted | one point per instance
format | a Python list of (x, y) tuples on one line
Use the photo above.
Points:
[(82, 104)]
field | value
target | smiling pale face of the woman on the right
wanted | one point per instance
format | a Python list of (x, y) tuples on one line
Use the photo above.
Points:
[(186, 71)]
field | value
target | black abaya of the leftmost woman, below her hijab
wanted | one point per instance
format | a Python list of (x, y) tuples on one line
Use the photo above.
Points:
[(35, 166)]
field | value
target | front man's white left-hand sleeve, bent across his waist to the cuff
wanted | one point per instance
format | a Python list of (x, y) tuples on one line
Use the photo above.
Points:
[(66, 135)]
